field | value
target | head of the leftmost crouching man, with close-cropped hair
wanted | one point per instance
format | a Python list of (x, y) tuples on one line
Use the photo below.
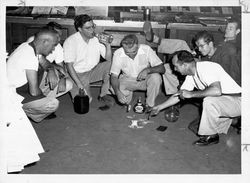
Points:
[(45, 41)]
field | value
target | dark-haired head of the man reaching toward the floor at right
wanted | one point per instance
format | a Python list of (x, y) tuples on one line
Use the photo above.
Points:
[(183, 62)]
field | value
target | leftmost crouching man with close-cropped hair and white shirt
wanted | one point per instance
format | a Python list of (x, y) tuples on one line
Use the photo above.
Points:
[(22, 73)]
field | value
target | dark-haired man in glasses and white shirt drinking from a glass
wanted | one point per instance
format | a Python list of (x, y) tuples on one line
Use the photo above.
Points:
[(82, 52)]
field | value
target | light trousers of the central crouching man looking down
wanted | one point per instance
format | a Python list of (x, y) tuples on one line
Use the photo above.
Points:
[(151, 84)]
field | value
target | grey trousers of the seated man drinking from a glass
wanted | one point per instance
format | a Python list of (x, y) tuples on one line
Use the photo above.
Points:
[(99, 73)]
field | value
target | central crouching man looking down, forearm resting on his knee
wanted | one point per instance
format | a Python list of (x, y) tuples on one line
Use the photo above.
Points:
[(136, 67)]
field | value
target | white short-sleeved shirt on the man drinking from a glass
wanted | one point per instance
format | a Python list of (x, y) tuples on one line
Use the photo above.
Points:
[(84, 56)]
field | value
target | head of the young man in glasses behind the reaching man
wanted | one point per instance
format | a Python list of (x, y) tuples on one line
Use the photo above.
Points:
[(205, 42)]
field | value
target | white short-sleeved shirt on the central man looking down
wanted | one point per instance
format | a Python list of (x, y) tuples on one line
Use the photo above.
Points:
[(132, 67)]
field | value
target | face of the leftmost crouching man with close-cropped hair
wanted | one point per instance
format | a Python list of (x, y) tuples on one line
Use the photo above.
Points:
[(50, 44)]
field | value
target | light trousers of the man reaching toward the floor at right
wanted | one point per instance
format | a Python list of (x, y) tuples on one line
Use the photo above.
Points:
[(217, 114)]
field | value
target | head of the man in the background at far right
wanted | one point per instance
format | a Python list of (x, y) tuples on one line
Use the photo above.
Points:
[(232, 29)]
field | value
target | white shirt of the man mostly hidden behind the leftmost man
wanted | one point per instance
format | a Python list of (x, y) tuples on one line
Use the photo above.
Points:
[(56, 55)]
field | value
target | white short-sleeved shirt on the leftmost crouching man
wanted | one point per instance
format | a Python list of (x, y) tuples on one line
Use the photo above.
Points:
[(23, 58)]
